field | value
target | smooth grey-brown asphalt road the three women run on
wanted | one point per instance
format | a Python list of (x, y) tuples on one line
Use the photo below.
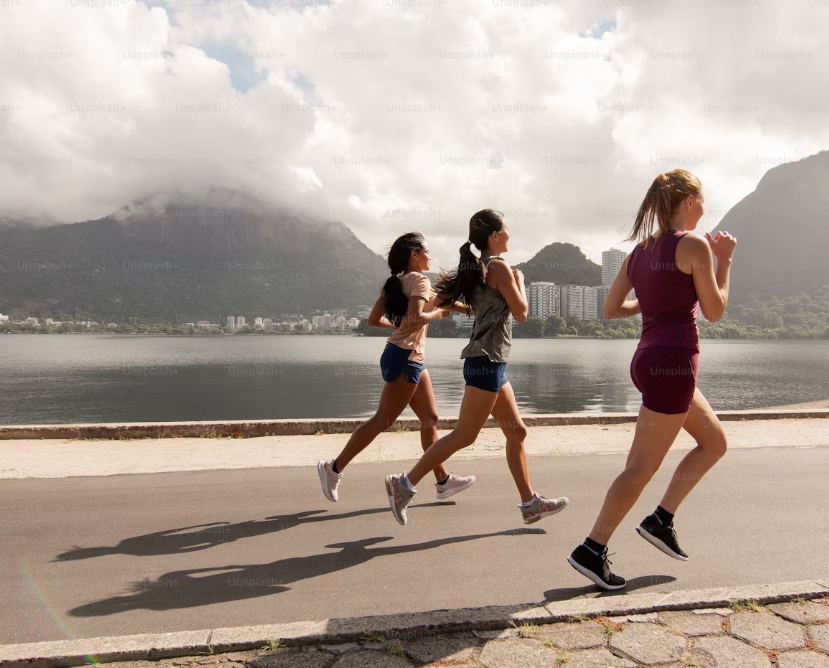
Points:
[(84, 557)]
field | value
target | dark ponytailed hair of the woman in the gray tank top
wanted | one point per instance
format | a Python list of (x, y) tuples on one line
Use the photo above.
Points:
[(460, 284)]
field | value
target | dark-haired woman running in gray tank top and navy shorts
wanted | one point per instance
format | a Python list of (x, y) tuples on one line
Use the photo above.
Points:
[(494, 293)]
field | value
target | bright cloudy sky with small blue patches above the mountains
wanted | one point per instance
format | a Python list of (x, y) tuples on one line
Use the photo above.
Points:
[(393, 115)]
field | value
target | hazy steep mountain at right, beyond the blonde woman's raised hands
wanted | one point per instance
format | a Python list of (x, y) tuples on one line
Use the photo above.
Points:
[(782, 231)]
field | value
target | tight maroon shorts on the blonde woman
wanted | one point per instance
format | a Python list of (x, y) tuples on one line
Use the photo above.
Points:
[(666, 376)]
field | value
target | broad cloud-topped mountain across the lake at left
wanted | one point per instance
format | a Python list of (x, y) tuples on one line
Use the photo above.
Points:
[(186, 259)]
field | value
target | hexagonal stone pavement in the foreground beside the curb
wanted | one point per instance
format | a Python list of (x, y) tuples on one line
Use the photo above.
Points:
[(746, 635)]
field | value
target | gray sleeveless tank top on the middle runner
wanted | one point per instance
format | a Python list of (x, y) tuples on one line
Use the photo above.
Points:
[(492, 328)]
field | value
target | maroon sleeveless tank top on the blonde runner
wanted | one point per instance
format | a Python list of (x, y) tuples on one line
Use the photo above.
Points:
[(666, 295)]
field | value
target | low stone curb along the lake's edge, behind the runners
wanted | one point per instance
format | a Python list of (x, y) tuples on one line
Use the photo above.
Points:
[(310, 427)]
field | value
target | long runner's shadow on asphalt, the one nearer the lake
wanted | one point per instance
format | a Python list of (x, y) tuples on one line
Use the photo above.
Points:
[(204, 536)]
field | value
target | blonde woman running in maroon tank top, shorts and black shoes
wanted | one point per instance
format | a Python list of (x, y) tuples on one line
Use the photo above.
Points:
[(672, 271)]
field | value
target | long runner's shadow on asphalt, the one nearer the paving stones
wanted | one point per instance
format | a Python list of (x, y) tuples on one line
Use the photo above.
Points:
[(209, 586)]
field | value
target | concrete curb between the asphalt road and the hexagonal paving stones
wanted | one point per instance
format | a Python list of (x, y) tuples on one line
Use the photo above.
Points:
[(407, 626)]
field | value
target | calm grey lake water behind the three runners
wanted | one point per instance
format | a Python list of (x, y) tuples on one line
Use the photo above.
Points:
[(117, 378)]
